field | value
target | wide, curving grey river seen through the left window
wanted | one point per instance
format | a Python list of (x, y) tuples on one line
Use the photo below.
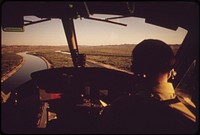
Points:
[(31, 64)]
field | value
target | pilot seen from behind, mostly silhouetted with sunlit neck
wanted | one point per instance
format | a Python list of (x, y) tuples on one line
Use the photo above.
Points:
[(153, 107)]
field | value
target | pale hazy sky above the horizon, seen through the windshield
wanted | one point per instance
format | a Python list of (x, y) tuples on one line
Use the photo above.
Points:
[(90, 32)]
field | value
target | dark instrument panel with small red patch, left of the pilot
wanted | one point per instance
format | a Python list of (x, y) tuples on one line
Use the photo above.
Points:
[(69, 100)]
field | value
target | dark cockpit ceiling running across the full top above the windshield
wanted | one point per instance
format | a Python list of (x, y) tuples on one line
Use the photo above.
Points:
[(167, 14)]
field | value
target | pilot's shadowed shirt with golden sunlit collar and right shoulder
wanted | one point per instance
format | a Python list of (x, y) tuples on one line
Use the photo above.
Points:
[(149, 109)]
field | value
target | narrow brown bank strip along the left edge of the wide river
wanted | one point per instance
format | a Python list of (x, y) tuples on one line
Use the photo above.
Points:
[(13, 70)]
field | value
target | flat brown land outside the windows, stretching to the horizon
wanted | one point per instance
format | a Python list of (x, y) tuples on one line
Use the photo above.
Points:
[(118, 56)]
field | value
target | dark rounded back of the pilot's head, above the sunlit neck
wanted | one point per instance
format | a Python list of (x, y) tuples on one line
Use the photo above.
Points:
[(152, 57)]
